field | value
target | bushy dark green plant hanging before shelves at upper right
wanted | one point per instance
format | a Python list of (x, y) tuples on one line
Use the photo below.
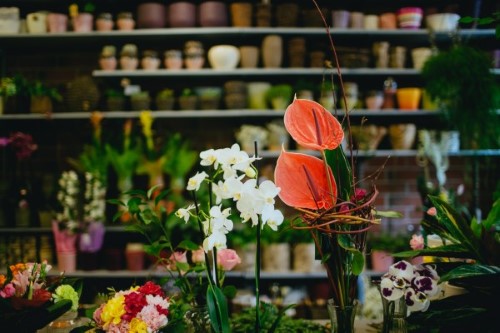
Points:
[(461, 81)]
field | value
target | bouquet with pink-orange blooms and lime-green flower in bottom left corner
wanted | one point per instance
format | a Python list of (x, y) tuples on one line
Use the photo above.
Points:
[(29, 300)]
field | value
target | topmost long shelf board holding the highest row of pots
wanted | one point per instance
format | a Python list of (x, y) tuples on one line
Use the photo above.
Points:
[(231, 34)]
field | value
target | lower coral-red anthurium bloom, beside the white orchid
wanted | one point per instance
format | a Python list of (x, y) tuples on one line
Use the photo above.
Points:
[(303, 182)]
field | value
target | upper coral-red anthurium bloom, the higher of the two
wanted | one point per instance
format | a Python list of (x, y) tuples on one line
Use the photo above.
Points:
[(312, 126)]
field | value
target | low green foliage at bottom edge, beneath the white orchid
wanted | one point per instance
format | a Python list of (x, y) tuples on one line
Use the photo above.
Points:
[(244, 322)]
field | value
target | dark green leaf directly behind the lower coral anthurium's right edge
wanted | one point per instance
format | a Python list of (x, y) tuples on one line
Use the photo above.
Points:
[(342, 172)]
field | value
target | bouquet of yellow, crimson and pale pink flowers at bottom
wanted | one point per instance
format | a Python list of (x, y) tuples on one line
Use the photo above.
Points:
[(139, 309)]
